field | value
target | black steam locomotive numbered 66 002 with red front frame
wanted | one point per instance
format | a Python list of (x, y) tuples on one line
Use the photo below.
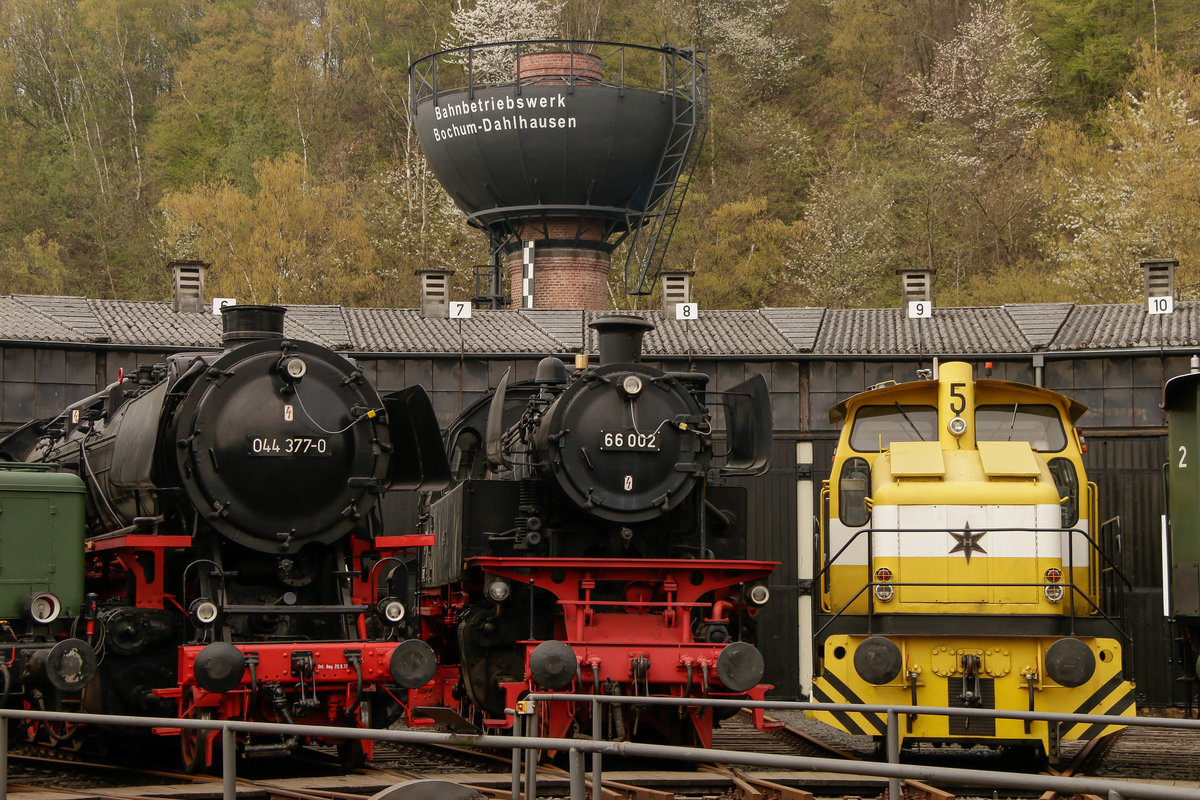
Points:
[(589, 546)]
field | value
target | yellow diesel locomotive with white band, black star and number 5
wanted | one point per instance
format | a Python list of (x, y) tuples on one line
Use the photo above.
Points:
[(959, 566)]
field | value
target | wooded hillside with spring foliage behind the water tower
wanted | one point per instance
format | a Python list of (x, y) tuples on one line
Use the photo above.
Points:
[(1031, 151)]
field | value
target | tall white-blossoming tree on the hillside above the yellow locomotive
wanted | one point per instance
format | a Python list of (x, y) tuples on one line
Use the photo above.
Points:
[(971, 209)]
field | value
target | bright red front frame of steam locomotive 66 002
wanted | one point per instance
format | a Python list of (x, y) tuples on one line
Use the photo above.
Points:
[(643, 645)]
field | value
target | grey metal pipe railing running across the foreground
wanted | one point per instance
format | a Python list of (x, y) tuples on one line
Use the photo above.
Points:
[(527, 720)]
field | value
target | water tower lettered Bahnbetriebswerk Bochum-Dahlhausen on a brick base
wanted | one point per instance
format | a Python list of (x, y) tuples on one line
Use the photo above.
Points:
[(561, 151)]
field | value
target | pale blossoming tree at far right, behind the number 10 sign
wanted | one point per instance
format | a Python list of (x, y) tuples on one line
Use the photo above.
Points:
[(1131, 194)]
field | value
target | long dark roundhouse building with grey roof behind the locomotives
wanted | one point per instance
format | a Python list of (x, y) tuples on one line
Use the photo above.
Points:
[(1114, 359)]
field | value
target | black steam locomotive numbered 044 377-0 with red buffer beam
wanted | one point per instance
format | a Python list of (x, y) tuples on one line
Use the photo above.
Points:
[(237, 560)]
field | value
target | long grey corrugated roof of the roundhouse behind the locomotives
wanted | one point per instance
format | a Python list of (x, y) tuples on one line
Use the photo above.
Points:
[(813, 333)]
